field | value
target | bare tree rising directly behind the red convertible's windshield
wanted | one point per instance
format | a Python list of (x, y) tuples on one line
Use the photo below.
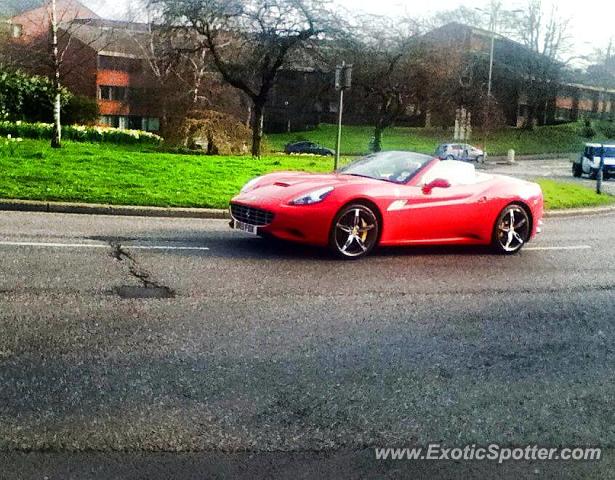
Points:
[(394, 71)]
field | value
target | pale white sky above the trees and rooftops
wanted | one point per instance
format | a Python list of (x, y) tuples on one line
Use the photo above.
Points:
[(591, 21)]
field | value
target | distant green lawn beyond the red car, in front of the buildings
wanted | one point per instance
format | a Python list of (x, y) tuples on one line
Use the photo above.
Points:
[(551, 139)]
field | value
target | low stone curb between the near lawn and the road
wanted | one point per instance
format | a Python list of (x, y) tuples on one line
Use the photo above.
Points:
[(206, 213)]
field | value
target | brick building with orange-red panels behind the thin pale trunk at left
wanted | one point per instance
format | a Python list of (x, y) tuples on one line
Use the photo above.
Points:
[(102, 59)]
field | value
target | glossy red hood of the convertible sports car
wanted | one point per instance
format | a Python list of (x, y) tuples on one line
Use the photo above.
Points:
[(289, 185)]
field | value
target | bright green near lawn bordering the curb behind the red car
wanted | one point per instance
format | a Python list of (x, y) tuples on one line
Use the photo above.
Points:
[(133, 175)]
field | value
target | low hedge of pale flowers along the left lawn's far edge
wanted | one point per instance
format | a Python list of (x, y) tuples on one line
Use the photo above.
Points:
[(79, 133)]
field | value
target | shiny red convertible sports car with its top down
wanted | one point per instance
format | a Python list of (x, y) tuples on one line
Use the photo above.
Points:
[(391, 198)]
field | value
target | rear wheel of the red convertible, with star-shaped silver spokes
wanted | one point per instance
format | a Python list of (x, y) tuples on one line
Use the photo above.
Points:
[(511, 230)]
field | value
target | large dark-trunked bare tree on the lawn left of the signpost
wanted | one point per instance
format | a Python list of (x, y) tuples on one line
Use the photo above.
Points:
[(250, 41)]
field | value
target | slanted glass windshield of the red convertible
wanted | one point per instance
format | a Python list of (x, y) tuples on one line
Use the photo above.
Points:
[(397, 167)]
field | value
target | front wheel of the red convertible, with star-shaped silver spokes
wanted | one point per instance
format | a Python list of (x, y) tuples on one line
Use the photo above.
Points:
[(354, 232)]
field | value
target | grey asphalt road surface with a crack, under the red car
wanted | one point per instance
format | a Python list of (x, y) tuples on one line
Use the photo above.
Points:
[(124, 340)]
